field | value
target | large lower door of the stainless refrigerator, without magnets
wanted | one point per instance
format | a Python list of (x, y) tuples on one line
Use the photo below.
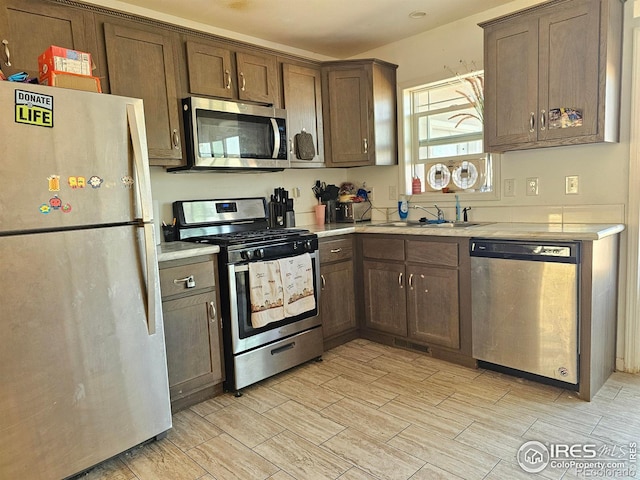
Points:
[(83, 378)]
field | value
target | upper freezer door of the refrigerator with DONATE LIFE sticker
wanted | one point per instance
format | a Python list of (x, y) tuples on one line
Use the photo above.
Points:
[(74, 170)]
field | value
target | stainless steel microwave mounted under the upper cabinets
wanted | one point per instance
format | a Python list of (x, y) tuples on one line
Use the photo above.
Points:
[(222, 135)]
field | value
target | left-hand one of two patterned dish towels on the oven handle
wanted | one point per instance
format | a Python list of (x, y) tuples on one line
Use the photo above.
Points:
[(265, 292)]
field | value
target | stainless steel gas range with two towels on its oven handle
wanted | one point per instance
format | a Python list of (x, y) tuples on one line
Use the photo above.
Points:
[(255, 349)]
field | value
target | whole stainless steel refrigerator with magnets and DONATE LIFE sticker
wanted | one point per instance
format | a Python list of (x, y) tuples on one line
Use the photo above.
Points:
[(83, 372)]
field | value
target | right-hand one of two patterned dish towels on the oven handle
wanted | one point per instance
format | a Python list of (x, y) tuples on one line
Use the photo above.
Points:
[(297, 284)]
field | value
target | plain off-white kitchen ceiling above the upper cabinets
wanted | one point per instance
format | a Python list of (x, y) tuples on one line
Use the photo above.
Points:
[(335, 28)]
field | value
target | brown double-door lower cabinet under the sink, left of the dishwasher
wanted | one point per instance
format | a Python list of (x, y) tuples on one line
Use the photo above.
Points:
[(416, 293)]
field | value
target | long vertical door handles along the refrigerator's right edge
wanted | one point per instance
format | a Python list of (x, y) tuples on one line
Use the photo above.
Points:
[(135, 115)]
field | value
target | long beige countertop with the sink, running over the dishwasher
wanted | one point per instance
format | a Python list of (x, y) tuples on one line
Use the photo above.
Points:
[(532, 231)]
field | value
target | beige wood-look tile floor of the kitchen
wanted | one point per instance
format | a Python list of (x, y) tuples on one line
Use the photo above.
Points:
[(369, 411)]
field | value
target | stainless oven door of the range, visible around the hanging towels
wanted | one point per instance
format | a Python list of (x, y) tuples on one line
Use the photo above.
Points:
[(243, 336)]
